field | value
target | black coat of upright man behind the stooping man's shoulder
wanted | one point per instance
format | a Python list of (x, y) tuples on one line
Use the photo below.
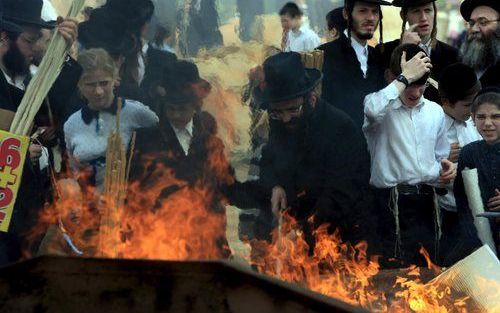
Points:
[(343, 83)]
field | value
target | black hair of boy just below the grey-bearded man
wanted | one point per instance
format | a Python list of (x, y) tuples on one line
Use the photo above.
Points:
[(457, 82)]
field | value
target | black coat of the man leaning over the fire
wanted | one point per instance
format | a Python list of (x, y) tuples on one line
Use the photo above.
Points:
[(325, 172)]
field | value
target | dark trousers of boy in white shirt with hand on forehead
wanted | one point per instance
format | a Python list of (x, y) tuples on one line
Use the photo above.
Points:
[(417, 224)]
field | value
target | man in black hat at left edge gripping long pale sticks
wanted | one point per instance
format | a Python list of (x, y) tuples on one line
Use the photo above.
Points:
[(16, 54)]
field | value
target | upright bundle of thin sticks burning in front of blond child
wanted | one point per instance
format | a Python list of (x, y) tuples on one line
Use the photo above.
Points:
[(115, 187)]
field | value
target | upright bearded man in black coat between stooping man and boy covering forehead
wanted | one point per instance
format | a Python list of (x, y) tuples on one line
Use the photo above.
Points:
[(351, 69)]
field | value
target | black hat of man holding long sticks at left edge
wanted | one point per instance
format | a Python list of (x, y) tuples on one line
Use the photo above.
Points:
[(25, 13)]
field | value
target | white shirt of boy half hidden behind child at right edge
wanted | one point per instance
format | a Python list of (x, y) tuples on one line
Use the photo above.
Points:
[(462, 133)]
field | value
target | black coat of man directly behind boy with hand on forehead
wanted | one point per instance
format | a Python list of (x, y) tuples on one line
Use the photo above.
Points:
[(442, 55)]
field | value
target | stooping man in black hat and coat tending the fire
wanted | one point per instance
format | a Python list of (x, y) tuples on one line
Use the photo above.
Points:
[(316, 161)]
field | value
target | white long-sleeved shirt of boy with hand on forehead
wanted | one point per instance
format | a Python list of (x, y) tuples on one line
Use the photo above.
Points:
[(406, 144)]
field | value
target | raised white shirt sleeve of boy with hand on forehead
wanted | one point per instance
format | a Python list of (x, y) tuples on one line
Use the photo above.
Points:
[(377, 105)]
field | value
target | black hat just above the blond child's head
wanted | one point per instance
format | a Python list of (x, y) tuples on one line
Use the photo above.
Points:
[(102, 32)]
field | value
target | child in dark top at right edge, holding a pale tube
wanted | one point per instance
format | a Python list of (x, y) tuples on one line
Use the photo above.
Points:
[(483, 155)]
